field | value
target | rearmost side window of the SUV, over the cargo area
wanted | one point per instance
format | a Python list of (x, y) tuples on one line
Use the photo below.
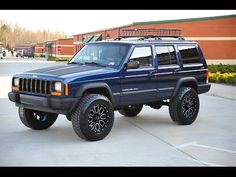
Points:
[(189, 54)]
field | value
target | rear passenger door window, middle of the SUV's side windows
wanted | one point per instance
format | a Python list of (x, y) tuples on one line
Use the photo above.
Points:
[(166, 55)]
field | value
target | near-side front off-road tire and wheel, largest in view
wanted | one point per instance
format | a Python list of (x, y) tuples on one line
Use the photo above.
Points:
[(93, 118)]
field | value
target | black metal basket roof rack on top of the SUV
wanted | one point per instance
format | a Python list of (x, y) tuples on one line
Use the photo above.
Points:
[(151, 33)]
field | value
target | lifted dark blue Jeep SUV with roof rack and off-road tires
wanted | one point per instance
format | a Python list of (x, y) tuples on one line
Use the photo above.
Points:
[(122, 75)]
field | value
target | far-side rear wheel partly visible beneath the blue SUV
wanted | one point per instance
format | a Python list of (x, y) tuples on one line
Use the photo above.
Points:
[(131, 110)]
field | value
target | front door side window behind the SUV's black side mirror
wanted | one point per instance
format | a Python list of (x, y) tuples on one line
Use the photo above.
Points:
[(143, 55)]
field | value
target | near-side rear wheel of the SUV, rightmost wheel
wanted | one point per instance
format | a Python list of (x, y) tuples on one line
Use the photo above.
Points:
[(184, 107)]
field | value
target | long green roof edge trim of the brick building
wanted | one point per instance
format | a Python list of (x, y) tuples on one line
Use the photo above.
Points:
[(162, 22)]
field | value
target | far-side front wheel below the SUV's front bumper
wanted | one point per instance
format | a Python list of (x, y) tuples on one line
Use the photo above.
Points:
[(36, 119)]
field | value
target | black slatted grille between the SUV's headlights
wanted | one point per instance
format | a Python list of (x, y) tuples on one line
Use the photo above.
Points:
[(35, 86)]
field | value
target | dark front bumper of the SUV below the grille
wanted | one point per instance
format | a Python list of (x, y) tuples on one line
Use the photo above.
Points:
[(58, 105)]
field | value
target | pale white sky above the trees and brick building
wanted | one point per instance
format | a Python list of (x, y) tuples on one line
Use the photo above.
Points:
[(79, 21)]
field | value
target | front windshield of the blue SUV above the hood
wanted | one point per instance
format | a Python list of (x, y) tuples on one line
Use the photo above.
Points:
[(101, 54)]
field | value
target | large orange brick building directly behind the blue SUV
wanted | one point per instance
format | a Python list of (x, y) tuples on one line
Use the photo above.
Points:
[(216, 35)]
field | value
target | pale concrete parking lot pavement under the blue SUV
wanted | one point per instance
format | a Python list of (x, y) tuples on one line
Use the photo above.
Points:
[(150, 139)]
